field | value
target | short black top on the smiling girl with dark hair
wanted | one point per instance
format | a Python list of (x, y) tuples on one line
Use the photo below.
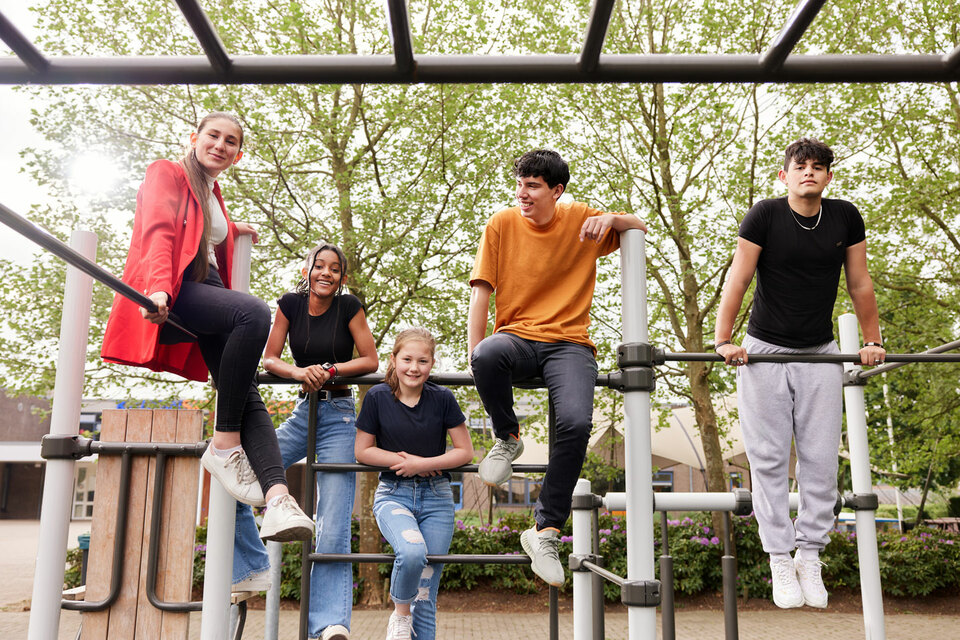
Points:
[(323, 338)]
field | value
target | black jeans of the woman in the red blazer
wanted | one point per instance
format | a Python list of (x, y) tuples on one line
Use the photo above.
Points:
[(232, 329)]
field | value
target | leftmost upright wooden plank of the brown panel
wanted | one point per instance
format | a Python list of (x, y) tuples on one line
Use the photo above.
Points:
[(103, 528)]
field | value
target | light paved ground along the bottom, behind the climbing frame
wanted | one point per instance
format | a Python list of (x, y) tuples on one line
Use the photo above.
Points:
[(18, 540)]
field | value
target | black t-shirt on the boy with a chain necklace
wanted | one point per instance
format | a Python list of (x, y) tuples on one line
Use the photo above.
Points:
[(799, 269)]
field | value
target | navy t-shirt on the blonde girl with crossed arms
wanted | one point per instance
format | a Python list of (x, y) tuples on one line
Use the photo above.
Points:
[(420, 430)]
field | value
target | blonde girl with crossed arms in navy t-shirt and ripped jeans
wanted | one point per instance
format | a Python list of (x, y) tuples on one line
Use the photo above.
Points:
[(403, 425)]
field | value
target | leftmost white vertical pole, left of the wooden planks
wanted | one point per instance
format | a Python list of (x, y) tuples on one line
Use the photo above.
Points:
[(65, 420)]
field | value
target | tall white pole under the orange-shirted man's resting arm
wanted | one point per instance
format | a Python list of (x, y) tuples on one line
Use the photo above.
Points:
[(642, 621)]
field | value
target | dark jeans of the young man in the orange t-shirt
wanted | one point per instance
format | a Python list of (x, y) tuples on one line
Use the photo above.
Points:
[(570, 372)]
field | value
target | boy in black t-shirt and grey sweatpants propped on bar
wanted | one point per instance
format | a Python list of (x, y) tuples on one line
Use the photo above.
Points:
[(796, 246)]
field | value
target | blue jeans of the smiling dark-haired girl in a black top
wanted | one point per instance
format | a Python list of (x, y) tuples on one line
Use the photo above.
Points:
[(331, 584)]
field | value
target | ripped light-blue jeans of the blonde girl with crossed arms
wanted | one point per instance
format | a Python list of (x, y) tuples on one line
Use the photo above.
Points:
[(415, 515)]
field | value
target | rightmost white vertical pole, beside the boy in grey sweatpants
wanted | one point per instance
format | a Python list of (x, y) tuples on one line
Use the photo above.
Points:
[(870, 591)]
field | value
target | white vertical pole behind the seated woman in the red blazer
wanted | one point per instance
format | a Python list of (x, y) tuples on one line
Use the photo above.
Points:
[(222, 515)]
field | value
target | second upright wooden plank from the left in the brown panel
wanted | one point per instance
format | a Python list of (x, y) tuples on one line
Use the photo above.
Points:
[(123, 617)]
